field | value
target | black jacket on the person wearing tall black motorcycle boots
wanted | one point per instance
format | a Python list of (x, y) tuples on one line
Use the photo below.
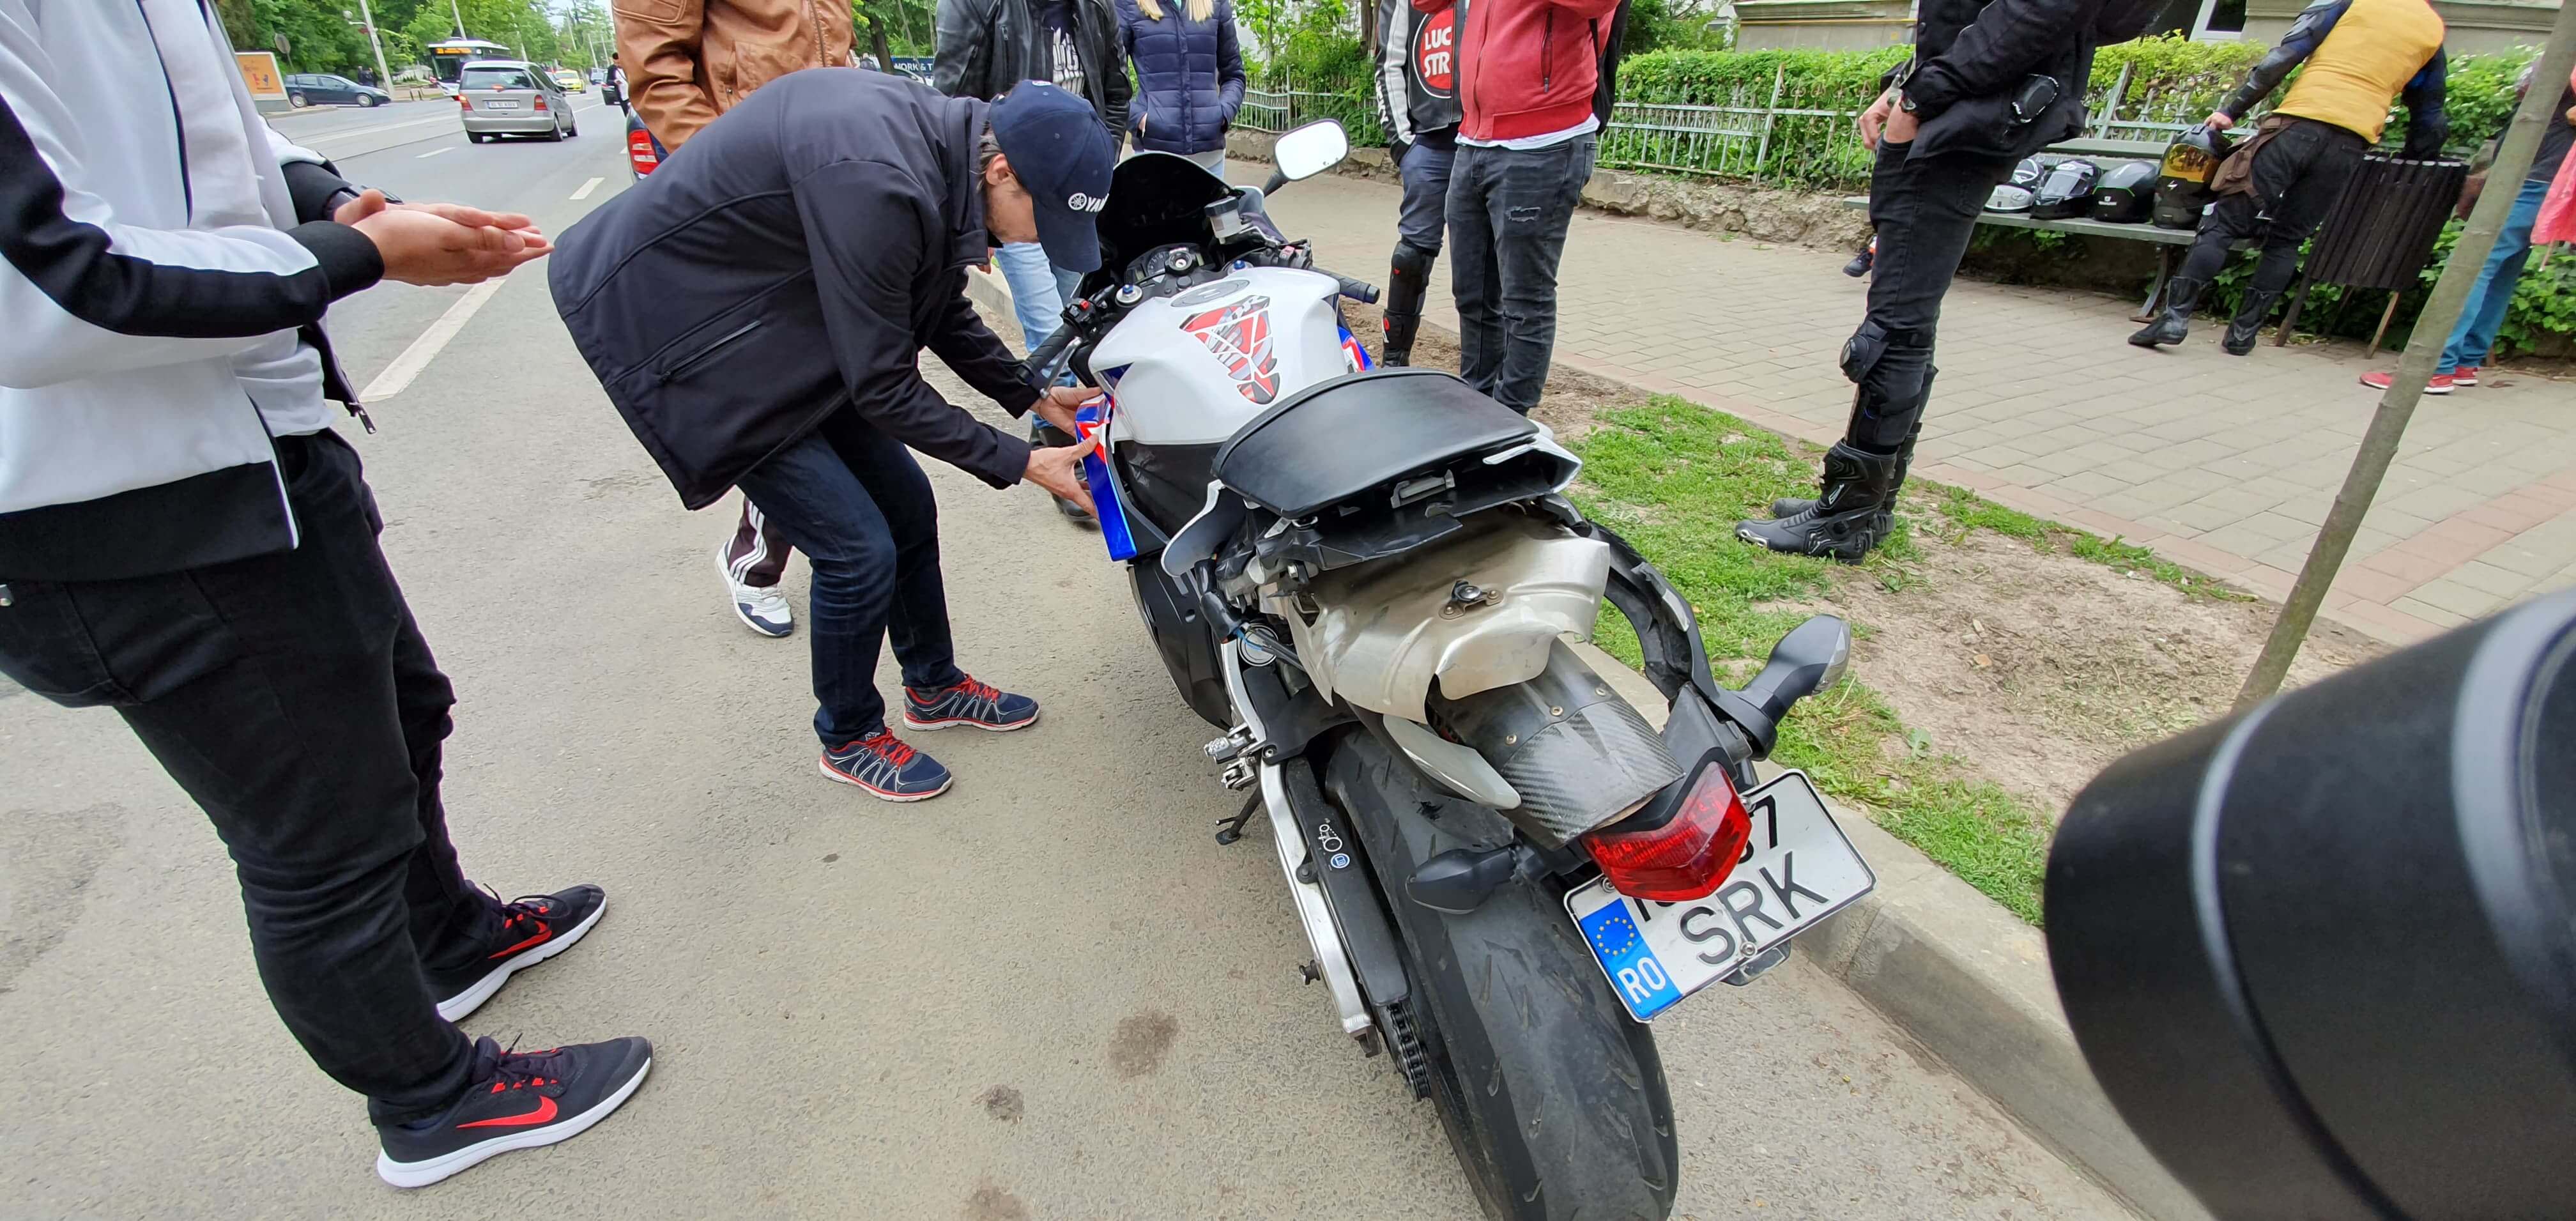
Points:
[(1972, 58)]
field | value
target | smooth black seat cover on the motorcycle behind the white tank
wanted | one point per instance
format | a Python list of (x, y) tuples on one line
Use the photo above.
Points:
[(1359, 431)]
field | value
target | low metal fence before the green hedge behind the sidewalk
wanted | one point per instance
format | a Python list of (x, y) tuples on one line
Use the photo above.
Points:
[(1758, 133)]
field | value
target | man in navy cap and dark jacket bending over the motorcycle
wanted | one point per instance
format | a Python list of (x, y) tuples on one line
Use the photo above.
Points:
[(756, 313)]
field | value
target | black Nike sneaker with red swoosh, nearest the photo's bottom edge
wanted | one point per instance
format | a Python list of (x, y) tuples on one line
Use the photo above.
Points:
[(519, 1101)]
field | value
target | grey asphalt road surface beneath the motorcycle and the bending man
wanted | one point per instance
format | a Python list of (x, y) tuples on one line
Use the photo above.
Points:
[(1045, 996)]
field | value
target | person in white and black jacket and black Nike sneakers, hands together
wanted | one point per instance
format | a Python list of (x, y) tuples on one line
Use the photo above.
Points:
[(187, 542)]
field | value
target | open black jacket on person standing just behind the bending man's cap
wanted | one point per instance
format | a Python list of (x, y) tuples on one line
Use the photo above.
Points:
[(985, 48)]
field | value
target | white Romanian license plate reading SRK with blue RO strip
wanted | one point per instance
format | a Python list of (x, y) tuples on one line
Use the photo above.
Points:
[(1794, 872)]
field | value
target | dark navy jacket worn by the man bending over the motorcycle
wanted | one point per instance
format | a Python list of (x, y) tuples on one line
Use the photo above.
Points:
[(792, 261)]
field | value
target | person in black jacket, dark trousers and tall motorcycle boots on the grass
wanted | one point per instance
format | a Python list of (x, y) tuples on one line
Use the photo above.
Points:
[(1990, 84)]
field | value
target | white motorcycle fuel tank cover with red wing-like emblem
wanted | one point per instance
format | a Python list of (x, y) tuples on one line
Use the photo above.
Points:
[(1197, 367)]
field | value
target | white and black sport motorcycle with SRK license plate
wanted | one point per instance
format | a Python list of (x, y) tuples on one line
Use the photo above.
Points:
[(1372, 581)]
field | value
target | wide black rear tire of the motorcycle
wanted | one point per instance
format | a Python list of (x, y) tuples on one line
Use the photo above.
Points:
[(1552, 1096)]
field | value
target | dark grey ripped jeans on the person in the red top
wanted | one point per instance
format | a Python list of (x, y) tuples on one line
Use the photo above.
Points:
[(1508, 218)]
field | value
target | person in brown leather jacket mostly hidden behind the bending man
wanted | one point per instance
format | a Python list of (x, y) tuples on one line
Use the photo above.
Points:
[(687, 63)]
